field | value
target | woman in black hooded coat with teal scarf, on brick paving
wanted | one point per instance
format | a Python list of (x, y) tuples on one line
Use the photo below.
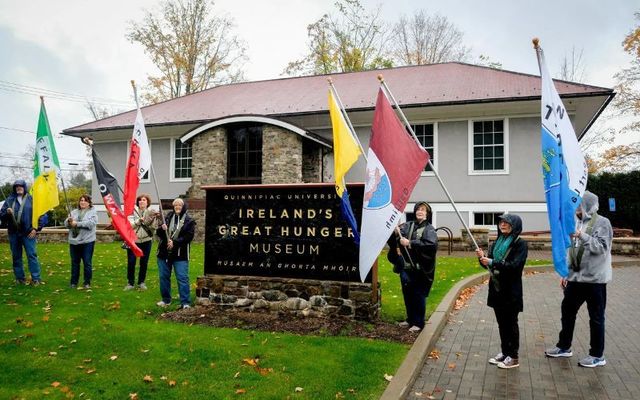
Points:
[(505, 262)]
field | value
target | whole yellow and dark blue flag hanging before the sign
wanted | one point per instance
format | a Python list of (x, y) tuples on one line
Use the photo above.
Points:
[(345, 153)]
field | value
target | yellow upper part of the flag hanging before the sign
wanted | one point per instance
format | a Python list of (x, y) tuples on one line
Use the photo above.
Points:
[(345, 149)]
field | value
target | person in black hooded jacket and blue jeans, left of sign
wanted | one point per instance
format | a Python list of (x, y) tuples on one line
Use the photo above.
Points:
[(175, 236)]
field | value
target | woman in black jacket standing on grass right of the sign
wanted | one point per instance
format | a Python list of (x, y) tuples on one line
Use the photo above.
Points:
[(412, 251)]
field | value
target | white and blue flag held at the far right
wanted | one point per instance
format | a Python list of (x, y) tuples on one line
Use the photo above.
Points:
[(564, 170)]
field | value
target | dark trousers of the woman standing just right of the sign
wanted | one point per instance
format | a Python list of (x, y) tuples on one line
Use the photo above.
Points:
[(415, 290)]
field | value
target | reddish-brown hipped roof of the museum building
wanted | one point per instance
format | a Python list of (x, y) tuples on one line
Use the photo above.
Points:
[(447, 83)]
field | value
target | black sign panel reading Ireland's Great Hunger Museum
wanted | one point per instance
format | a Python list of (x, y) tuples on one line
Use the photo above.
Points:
[(294, 231)]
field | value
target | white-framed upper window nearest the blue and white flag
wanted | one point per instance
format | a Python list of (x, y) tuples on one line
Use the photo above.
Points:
[(489, 140)]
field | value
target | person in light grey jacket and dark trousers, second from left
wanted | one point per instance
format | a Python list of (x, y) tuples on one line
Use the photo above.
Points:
[(82, 239)]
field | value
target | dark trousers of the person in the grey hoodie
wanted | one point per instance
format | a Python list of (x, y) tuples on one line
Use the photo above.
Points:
[(575, 294)]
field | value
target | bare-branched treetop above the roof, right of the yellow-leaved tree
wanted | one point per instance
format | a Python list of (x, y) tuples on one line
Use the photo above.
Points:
[(427, 39)]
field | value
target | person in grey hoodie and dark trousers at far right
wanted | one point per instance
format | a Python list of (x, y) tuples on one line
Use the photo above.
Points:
[(590, 270)]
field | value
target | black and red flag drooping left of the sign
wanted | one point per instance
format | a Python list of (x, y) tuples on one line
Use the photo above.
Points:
[(108, 187)]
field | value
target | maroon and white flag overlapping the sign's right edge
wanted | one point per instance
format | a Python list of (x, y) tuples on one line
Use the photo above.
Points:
[(395, 162)]
